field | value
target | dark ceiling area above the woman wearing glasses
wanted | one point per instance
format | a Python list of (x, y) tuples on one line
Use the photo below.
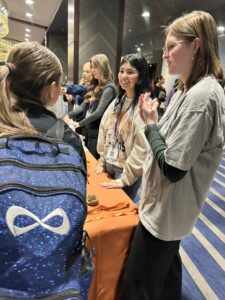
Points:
[(147, 33)]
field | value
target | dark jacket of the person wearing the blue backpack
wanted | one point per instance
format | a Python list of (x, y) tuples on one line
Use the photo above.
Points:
[(42, 119)]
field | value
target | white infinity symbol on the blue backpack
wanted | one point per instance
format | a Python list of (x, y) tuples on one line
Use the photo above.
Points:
[(15, 211)]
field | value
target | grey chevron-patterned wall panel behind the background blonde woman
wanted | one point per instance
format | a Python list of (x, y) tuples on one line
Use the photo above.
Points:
[(98, 30)]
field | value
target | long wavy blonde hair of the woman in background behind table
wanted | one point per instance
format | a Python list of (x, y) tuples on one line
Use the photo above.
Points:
[(94, 92)]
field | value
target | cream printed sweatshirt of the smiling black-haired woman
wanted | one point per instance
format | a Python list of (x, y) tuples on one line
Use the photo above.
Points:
[(122, 143)]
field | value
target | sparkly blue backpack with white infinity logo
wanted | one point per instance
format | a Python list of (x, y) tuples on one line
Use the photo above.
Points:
[(42, 213)]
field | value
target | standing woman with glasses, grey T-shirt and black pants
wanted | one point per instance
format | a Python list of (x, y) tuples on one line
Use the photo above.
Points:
[(185, 151)]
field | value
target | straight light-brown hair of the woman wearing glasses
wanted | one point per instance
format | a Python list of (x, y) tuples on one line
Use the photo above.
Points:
[(200, 24)]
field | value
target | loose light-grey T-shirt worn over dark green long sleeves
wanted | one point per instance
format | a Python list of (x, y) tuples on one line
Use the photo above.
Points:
[(193, 127)]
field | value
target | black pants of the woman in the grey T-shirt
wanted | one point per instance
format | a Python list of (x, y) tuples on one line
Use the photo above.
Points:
[(153, 270)]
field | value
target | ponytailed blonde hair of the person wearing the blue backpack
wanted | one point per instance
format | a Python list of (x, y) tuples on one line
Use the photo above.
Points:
[(29, 68)]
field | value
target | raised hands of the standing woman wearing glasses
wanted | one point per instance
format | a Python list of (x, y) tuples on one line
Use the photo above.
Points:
[(148, 109)]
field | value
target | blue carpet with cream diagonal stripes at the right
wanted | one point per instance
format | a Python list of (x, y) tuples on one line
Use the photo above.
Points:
[(203, 252)]
